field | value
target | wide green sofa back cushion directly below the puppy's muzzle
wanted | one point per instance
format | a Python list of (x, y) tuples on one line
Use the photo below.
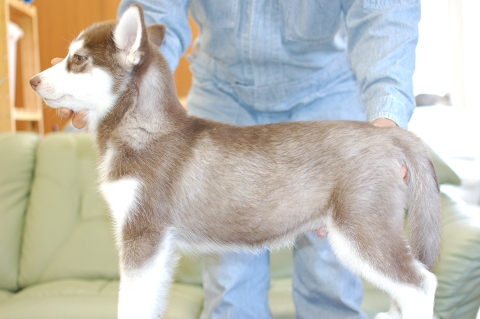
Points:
[(67, 228)]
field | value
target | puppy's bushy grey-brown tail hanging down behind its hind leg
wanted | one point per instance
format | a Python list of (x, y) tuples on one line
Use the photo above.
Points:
[(424, 206)]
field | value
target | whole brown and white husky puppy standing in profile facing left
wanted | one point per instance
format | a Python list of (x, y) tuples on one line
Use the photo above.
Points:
[(177, 182)]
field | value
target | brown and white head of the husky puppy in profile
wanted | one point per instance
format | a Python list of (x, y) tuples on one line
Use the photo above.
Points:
[(100, 63)]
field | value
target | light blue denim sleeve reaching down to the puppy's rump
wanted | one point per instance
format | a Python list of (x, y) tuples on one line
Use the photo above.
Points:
[(382, 37)]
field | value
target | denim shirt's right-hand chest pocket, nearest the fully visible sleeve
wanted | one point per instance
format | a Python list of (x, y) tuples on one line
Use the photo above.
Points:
[(310, 20)]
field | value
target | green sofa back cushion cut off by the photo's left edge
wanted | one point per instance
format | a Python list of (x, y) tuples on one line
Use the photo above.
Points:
[(17, 161)]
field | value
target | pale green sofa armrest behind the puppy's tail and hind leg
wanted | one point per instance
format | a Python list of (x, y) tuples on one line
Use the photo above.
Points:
[(458, 271)]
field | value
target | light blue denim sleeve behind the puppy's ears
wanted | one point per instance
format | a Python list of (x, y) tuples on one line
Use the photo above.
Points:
[(174, 14)]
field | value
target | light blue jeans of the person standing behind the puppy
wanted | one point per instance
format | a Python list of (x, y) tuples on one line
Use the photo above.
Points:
[(236, 284)]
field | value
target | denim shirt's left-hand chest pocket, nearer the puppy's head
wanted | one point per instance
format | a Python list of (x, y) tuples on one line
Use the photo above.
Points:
[(216, 13)]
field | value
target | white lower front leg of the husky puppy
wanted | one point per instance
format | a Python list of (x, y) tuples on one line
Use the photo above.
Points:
[(144, 286)]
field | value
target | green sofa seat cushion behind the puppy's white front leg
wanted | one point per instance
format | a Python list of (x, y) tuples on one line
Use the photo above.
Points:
[(89, 299)]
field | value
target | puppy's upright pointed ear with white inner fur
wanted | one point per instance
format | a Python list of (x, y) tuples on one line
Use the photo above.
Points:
[(130, 35)]
